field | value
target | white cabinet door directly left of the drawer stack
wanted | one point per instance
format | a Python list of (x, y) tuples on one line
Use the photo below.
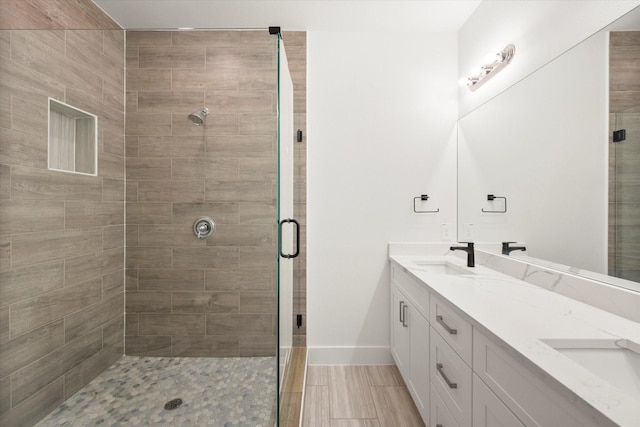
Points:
[(419, 361)]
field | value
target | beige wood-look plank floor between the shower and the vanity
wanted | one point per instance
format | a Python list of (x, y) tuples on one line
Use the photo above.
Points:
[(358, 396)]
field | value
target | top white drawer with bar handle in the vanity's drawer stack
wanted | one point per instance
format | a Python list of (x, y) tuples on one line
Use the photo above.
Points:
[(452, 327)]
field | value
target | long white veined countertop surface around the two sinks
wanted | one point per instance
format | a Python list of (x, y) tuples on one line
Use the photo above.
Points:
[(521, 314)]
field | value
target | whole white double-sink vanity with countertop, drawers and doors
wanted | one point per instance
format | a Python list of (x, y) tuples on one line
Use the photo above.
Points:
[(479, 347)]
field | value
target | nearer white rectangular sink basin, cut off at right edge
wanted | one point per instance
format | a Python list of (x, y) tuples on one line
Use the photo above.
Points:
[(615, 361)]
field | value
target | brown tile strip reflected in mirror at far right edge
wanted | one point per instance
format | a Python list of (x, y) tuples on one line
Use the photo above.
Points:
[(624, 157)]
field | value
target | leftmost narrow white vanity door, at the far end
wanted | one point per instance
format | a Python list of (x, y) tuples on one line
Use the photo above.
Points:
[(400, 331)]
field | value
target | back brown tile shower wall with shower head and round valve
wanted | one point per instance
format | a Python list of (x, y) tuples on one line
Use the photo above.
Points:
[(185, 296)]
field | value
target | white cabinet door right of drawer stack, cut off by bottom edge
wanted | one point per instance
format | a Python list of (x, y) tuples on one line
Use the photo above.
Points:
[(488, 410)]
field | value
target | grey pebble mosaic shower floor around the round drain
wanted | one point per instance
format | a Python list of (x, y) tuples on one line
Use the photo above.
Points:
[(216, 392)]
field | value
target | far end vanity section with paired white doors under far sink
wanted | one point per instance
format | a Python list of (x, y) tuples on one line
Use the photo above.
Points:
[(410, 336)]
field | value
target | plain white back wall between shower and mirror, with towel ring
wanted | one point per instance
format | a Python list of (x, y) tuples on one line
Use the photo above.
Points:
[(381, 123)]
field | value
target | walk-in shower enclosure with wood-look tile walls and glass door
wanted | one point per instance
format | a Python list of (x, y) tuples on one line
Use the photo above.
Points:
[(71, 302)]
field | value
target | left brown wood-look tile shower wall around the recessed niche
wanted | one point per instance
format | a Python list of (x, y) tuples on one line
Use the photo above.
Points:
[(61, 234)]
